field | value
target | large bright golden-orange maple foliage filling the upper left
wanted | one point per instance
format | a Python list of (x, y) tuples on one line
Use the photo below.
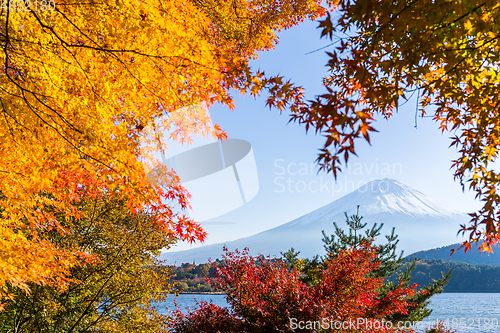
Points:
[(79, 83)]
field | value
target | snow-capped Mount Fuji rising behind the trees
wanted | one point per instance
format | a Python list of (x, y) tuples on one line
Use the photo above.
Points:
[(421, 224)]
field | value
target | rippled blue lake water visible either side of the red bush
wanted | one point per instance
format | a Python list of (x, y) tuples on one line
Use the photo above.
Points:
[(472, 311)]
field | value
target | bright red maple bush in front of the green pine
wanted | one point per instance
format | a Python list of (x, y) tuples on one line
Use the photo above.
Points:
[(267, 296)]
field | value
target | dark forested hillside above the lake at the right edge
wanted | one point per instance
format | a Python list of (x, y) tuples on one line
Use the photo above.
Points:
[(465, 278)]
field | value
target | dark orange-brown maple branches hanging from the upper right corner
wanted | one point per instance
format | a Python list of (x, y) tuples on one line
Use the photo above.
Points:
[(444, 52)]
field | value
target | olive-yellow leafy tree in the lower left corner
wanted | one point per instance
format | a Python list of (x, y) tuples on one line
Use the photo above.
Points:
[(118, 291)]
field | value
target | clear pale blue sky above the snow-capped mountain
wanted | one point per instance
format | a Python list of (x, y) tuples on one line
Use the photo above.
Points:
[(289, 185)]
